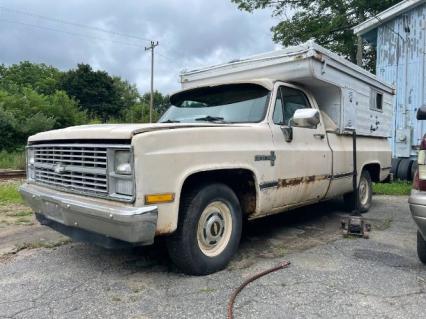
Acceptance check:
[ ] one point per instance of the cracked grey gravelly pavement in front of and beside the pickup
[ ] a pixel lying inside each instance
(330, 277)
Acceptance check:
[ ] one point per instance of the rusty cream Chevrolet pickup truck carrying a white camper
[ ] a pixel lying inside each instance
(226, 150)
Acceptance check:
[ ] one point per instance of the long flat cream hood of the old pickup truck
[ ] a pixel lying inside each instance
(111, 131)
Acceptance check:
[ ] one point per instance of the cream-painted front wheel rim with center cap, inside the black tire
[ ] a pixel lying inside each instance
(214, 228)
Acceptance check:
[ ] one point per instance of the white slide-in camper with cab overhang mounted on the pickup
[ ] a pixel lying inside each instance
(352, 97)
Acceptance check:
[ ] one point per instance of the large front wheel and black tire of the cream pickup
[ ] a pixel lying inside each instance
(209, 230)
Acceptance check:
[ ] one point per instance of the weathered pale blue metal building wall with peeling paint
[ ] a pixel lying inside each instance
(401, 61)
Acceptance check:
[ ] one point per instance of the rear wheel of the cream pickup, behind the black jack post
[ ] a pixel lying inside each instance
(365, 193)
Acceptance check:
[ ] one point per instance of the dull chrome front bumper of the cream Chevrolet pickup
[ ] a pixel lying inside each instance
(134, 225)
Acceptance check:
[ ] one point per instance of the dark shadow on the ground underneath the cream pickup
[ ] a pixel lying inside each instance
(265, 238)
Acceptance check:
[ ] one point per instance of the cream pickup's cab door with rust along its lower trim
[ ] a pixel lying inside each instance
(304, 164)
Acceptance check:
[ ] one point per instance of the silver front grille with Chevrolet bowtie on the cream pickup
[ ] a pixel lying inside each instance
(81, 168)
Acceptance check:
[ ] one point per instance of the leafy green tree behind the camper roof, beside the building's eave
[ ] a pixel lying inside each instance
(329, 22)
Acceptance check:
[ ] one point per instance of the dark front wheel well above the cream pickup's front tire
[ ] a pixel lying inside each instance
(241, 181)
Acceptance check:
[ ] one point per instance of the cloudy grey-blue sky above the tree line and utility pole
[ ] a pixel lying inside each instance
(191, 33)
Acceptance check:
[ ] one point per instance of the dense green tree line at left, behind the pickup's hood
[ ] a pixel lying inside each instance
(39, 97)
